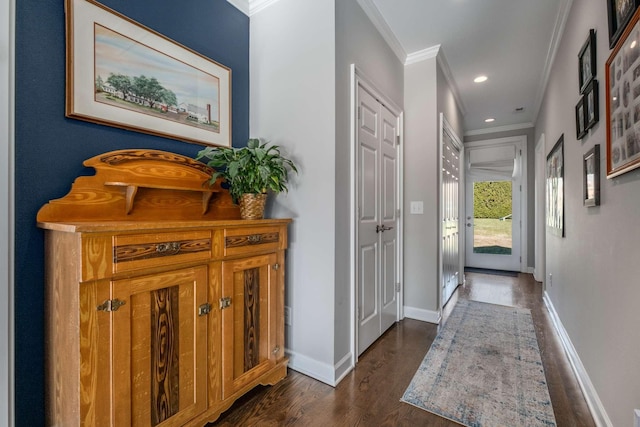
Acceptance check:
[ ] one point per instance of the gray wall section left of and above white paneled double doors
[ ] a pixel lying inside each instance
(359, 43)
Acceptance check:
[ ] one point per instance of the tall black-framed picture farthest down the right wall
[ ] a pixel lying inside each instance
(555, 188)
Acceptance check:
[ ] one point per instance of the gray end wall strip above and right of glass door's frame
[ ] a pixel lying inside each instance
(531, 151)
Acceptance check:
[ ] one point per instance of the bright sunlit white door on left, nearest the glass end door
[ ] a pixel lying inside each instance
(450, 195)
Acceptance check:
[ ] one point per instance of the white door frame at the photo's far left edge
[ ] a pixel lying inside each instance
(7, 212)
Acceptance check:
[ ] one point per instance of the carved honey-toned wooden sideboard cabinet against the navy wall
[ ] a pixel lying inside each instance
(157, 316)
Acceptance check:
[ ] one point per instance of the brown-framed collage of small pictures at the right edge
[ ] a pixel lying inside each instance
(623, 102)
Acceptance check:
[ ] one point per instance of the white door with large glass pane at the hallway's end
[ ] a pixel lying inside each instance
(493, 205)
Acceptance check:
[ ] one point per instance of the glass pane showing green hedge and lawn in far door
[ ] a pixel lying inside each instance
(492, 217)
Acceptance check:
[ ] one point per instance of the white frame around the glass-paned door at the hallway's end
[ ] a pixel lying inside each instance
(520, 140)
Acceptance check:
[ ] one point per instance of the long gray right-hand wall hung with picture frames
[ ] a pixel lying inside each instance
(595, 268)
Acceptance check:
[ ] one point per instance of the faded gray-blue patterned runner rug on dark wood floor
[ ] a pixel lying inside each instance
(484, 369)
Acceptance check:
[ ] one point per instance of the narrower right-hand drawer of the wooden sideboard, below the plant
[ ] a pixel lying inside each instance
(250, 240)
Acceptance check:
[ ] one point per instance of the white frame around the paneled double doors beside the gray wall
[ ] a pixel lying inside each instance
(358, 78)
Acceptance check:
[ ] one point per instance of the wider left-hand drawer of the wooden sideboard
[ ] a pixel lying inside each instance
(133, 252)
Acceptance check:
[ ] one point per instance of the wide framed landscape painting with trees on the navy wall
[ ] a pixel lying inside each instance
(123, 74)
